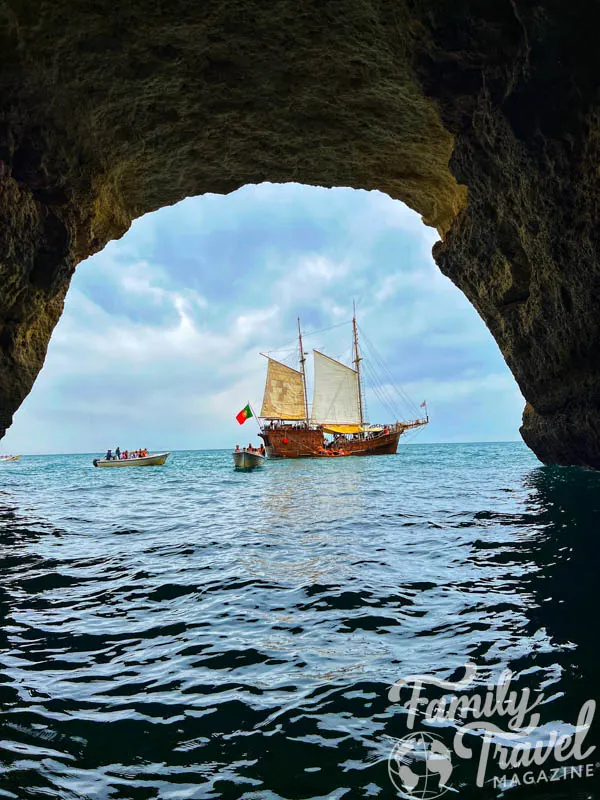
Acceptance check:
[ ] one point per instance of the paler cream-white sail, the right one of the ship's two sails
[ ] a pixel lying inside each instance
(335, 396)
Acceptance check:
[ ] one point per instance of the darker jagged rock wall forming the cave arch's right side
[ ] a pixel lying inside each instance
(519, 90)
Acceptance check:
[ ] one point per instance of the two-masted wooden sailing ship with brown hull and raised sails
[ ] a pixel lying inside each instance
(338, 410)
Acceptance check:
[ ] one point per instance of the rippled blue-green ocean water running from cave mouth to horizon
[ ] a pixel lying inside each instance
(193, 632)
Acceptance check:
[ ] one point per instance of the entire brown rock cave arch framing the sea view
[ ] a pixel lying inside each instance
(108, 111)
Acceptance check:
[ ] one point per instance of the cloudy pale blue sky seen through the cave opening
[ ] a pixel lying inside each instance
(159, 342)
